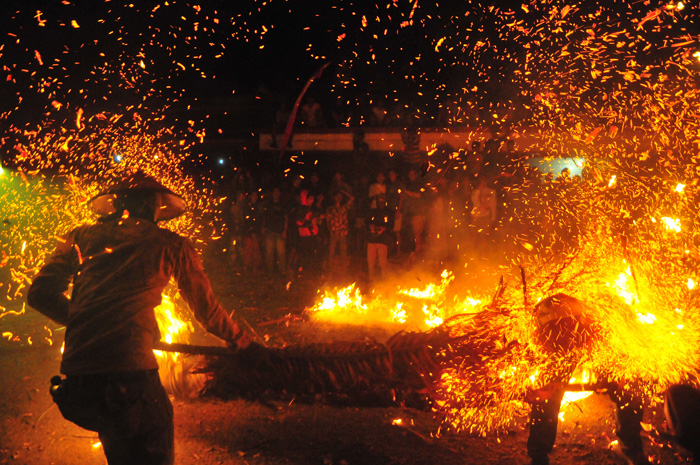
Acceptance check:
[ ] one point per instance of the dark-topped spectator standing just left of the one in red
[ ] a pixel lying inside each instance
(274, 230)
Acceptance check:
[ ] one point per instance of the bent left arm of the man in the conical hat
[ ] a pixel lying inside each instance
(47, 292)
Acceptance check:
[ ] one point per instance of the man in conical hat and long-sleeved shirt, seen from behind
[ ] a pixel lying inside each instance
(119, 267)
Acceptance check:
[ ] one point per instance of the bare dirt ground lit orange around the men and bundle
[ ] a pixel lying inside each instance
(208, 431)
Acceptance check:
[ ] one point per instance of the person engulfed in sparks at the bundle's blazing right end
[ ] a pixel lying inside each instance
(564, 330)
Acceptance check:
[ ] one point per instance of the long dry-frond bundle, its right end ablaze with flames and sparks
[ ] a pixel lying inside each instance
(477, 369)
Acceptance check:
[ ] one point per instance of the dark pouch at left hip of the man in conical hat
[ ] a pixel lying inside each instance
(77, 403)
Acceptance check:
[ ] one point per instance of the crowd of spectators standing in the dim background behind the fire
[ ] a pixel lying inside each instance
(352, 225)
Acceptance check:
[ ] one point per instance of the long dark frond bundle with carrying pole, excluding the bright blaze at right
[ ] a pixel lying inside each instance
(408, 369)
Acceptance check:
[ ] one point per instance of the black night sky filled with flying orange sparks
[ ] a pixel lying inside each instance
(223, 66)
